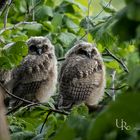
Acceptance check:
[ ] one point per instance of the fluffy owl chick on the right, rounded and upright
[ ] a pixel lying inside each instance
(82, 76)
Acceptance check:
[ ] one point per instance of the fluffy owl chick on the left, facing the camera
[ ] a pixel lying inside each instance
(35, 78)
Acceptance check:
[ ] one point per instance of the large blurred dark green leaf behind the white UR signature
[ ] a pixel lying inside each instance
(125, 107)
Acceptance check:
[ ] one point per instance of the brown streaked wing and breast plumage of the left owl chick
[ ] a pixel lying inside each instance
(29, 74)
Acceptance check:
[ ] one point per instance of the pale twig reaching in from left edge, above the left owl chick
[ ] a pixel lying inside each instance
(16, 25)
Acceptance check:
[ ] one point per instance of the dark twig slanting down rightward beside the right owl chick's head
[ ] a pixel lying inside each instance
(117, 59)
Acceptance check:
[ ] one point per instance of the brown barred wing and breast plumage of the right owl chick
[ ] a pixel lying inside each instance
(78, 79)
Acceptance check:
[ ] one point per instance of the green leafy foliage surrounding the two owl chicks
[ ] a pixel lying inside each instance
(115, 27)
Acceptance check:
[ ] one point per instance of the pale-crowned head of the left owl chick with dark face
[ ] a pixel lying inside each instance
(39, 45)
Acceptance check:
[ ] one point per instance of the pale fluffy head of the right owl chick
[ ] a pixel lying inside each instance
(84, 49)
